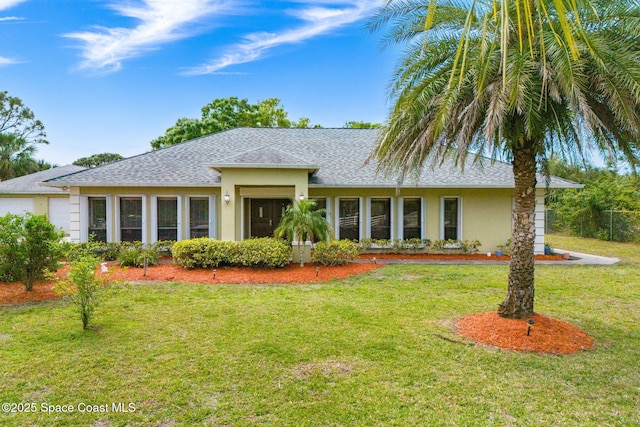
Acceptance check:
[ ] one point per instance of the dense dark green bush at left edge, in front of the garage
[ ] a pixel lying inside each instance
(29, 247)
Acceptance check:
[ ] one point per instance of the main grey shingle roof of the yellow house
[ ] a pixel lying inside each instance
(338, 154)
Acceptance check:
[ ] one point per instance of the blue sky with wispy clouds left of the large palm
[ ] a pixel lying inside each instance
(111, 75)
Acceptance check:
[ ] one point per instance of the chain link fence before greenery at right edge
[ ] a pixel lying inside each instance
(613, 225)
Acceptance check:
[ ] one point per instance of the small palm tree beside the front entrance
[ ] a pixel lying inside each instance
(303, 222)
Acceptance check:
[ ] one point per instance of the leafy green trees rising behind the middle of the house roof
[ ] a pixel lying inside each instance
(228, 113)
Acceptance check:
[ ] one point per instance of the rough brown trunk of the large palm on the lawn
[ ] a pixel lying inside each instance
(520, 293)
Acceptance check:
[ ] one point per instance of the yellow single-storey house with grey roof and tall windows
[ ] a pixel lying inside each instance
(235, 184)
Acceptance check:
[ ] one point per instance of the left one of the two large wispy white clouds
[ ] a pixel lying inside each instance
(161, 21)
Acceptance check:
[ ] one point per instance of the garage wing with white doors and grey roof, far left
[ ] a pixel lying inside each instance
(25, 194)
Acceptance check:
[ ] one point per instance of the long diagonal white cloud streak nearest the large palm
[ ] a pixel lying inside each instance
(319, 20)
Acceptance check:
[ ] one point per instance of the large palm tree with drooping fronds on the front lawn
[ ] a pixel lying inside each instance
(567, 82)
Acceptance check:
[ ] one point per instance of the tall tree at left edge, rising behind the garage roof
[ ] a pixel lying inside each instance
(20, 133)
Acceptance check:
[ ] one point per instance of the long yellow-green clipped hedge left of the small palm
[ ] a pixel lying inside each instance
(205, 252)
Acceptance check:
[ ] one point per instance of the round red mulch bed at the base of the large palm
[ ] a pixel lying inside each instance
(547, 335)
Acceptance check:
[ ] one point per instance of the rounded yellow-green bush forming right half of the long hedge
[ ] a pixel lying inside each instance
(264, 252)
